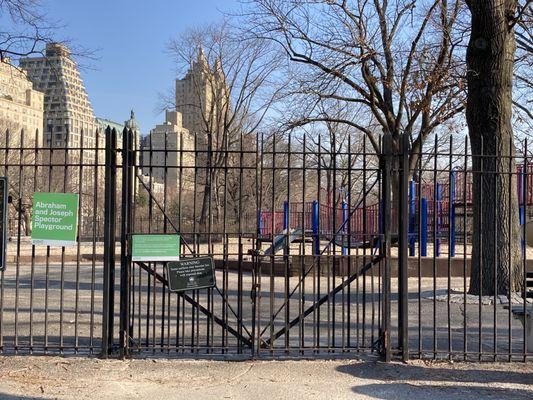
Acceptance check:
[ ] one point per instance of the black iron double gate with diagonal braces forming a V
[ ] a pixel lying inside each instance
(300, 290)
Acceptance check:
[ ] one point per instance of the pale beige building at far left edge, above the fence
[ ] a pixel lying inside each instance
(21, 108)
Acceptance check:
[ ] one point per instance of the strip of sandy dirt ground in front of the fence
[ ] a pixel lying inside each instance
(85, 378)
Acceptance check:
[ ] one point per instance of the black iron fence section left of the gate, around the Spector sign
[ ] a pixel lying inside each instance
(51, 297)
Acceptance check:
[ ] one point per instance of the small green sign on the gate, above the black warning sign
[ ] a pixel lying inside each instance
(155, 248)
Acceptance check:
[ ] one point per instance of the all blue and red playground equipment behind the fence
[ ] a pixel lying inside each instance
(438, 214)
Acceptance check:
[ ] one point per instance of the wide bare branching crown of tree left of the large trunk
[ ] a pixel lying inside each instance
(393, 63)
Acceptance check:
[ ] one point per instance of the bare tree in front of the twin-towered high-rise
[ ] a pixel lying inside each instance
(233, 94)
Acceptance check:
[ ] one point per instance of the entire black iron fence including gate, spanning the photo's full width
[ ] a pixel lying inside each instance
(322, 245)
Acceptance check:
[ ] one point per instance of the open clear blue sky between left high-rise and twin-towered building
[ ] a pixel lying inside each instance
(130, 36)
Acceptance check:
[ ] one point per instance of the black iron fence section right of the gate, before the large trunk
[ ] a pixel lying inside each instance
(463, 286)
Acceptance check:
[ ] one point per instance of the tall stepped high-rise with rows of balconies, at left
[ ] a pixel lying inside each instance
(70, 127)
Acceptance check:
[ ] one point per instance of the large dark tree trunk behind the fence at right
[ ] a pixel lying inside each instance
(496, 252)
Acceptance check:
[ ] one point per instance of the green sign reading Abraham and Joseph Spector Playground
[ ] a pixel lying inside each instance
(54, 219)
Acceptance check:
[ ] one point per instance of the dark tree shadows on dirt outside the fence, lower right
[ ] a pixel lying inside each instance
(434, 382)
